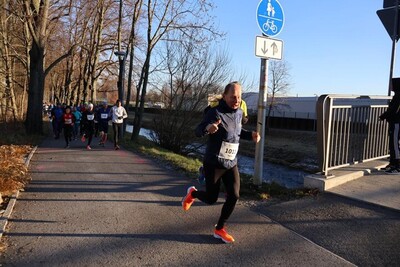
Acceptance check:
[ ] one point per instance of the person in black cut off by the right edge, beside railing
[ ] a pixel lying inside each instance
(392, 116)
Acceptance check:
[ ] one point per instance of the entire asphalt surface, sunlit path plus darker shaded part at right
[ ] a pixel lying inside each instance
(107, 207)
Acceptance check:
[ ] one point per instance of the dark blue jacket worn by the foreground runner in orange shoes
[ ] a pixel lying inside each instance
(229, 130)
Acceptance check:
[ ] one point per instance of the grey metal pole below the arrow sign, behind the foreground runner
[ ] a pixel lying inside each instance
(262, 108)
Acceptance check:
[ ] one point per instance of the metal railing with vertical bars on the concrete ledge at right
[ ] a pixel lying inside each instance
(349, 130)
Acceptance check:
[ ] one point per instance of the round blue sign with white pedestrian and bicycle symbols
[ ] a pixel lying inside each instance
(270, 17)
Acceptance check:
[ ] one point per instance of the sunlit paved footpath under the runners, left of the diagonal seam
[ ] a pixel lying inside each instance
(100, 207)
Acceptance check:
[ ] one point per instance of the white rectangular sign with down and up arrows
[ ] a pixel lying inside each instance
(268, 48)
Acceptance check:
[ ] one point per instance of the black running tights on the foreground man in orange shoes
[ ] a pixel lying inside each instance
(231, 180)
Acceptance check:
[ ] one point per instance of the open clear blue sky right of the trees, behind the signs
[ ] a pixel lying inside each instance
(331, 46)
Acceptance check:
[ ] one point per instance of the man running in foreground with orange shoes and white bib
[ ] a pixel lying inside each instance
(223, 125)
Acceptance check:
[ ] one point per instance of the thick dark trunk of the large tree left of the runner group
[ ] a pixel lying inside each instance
(33, 122)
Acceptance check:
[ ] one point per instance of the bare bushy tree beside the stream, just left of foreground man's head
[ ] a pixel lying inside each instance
(191, 74)
